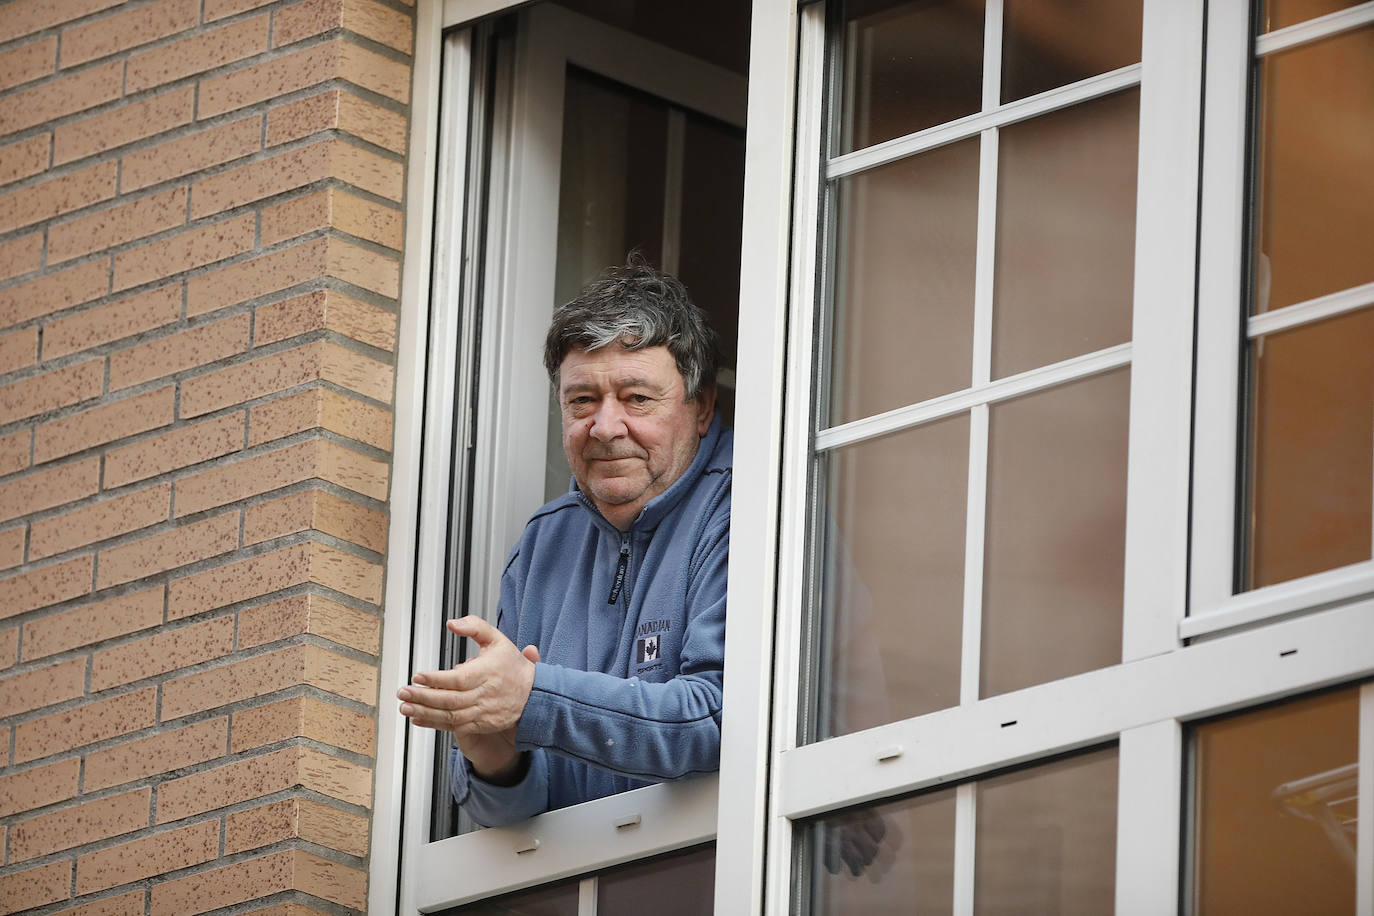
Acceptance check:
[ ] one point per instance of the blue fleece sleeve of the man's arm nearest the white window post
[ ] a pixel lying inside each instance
(638, 729)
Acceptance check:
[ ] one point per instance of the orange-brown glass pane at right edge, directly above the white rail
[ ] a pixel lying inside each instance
(1313, 450)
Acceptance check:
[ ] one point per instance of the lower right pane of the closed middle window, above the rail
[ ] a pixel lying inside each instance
(1056, 543)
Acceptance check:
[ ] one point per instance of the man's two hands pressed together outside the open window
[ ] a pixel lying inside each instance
(480, 702)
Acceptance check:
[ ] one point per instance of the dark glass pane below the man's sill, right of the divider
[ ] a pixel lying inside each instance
(682, 885)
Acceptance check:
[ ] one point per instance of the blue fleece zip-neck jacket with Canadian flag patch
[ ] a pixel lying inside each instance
(631, 632)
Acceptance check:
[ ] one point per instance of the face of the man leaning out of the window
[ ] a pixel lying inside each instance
(629, 431)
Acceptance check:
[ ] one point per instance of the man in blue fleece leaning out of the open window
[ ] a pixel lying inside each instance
(616, 591)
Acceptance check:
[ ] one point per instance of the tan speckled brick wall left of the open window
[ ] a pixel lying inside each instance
(200, 255)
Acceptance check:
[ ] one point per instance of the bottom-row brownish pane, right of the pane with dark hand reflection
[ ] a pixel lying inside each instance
(1046, 840)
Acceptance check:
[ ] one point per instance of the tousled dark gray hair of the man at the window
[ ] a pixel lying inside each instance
(637, 307)
